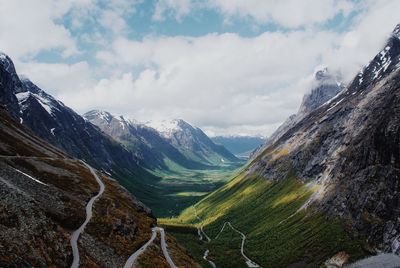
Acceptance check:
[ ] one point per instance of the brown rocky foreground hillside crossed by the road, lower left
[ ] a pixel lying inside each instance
(43, 197)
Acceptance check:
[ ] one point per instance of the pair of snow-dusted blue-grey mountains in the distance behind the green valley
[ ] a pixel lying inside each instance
(156, 142)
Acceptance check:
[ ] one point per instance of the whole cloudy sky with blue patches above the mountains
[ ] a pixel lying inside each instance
(231, 67)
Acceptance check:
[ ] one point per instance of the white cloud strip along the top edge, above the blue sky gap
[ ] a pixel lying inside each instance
(287, 13)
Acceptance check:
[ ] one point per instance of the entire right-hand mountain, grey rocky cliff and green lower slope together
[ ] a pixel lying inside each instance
(326, 190)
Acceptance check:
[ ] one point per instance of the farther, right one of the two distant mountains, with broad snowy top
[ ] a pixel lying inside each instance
(192, 142)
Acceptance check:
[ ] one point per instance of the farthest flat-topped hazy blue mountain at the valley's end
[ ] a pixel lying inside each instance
(239, 145)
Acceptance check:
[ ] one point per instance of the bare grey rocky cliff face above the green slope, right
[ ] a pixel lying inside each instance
(348, 149)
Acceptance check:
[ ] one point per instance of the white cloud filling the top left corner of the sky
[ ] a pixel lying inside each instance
(28, 26)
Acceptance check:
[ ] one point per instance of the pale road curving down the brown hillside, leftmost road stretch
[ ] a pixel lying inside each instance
(89, 213)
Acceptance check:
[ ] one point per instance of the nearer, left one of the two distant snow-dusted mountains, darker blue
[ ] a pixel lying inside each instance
(154, 150)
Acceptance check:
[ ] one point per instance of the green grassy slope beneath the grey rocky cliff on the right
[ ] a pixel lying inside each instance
(265, 211)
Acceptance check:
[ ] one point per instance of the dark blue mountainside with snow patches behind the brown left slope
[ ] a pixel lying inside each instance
(59, 125)
